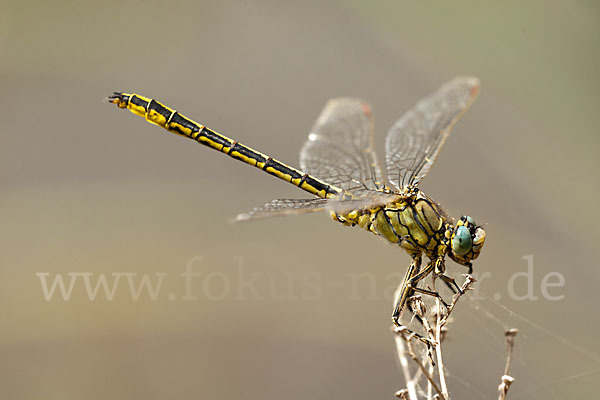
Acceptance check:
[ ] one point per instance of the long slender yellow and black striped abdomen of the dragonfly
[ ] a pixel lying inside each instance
(171, 120)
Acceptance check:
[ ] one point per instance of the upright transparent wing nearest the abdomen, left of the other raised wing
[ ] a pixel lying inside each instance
(340, 150)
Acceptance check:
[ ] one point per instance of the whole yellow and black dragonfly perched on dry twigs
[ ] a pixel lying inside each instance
(339, 167)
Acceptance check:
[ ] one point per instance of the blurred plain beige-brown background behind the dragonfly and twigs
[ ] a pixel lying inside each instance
(293, 307)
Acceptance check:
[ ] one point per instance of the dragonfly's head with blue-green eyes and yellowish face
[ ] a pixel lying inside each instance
(466, 241)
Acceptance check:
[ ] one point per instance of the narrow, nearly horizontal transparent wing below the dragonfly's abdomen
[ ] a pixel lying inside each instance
(280, 207)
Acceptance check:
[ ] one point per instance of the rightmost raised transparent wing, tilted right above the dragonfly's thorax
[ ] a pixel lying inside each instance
(414, 142)
